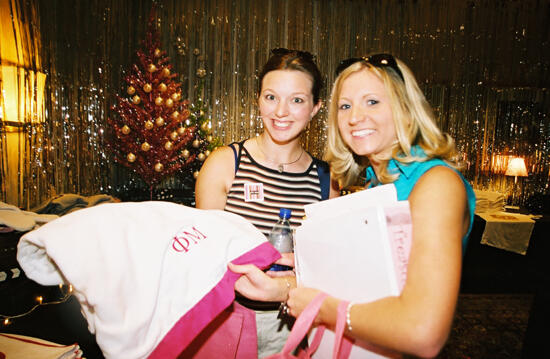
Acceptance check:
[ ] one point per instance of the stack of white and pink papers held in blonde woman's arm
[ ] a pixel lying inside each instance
(356, 248)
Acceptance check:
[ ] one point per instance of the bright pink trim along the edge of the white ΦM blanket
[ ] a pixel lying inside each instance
(212, 304)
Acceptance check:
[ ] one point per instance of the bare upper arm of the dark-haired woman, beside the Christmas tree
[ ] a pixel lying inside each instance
(215, 178)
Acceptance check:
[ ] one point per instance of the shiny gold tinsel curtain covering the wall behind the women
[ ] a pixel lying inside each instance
(484, 66)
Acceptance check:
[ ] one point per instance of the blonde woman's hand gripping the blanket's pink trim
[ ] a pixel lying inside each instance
(256, 285)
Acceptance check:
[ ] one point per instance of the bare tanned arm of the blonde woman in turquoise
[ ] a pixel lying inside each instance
(419, 320)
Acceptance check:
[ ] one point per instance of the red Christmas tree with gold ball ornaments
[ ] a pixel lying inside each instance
(155, 134)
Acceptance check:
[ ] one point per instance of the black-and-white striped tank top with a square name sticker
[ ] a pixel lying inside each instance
(257, 192)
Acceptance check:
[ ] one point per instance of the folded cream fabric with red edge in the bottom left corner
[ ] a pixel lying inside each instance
(14, 346)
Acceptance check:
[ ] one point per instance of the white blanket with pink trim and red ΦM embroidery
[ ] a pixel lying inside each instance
(149, 276)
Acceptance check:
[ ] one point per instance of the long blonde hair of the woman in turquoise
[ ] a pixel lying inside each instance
(414, 124)
